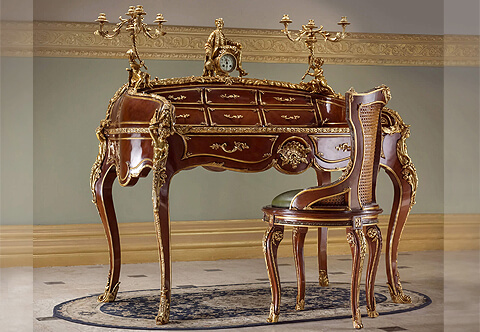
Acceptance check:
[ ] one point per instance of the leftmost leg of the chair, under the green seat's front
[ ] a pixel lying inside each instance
(271, 241)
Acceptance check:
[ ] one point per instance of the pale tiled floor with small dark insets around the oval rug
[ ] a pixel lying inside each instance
(450, 279)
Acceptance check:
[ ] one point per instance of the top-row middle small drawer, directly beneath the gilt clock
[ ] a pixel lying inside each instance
(220, 96)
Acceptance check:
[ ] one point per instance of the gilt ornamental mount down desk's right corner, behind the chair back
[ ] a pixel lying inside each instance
(393, 123)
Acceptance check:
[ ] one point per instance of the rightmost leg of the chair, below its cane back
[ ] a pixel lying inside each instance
(374, 240)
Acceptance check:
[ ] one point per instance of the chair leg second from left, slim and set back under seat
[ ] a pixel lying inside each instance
(298, 240)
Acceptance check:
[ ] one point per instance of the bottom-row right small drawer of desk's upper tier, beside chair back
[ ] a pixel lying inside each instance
(291, 117)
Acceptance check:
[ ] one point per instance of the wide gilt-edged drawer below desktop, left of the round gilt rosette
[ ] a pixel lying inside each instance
(242, 148)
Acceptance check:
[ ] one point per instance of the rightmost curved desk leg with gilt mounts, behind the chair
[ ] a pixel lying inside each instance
(402, 172)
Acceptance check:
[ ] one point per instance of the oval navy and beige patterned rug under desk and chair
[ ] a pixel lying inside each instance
(225, 306)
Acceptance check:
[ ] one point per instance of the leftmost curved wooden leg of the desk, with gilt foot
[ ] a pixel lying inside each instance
(104, 203)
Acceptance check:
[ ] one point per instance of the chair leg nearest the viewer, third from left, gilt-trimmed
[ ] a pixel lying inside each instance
(358, 246)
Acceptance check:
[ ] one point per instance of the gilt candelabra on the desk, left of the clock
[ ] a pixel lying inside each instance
(135, 26)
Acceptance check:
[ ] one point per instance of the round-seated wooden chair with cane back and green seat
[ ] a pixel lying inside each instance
(348, 202)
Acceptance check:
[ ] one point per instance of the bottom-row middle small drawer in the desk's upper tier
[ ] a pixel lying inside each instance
(234, 117)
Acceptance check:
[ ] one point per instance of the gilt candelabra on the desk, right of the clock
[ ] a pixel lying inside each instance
(310, 32)
